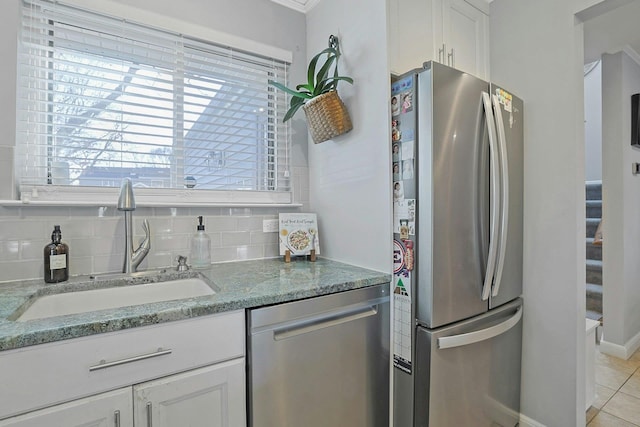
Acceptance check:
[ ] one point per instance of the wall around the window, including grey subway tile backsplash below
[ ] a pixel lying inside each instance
(96, 237)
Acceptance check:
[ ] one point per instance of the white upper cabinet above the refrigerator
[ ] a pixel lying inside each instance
(453, 32)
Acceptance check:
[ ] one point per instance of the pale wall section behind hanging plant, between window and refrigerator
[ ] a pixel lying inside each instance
(350, 180)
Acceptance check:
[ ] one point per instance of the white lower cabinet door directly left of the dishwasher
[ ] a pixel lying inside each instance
(213, 397)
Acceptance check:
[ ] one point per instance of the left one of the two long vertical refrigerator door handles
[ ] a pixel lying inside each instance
(495, 198)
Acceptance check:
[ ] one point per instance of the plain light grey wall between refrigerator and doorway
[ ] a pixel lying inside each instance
(536, 52)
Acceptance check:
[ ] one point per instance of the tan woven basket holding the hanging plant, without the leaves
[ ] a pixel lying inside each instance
(327, 117)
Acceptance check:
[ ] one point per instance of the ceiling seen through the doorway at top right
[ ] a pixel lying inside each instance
(613, 31)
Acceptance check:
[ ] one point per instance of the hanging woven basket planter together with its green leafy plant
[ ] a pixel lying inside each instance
(327, 116)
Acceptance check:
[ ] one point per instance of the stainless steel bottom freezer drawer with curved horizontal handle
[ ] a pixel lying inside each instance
(468, 374)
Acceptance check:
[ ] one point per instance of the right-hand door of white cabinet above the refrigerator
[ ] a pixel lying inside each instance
(465, 34)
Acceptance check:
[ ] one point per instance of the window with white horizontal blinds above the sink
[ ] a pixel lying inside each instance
(101, 99)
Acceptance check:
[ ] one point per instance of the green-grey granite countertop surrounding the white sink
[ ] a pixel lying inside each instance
(238, 285)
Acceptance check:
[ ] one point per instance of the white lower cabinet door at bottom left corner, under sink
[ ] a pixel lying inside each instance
(113, 409)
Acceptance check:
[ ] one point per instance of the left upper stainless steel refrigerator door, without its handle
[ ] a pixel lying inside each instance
(453, 196)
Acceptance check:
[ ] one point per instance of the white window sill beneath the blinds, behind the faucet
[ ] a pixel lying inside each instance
(66, 196)
